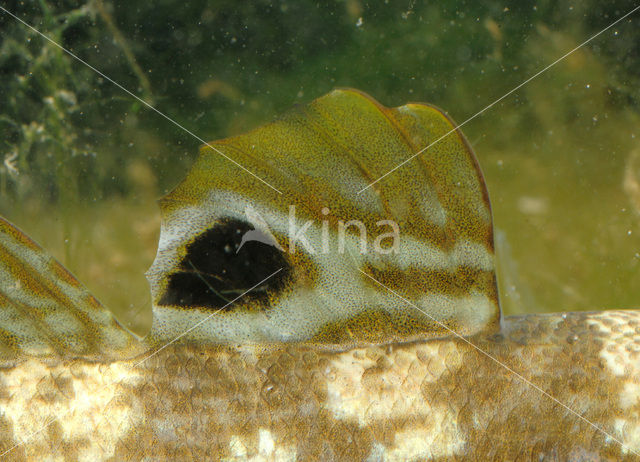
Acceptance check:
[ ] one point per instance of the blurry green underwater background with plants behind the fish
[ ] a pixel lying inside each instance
(82, 162)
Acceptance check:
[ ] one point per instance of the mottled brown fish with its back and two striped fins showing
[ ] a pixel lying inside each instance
(340, 319)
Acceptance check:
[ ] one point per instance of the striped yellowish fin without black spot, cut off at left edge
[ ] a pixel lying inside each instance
(45, 312)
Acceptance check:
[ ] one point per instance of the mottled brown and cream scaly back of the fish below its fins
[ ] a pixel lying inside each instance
(438, 399)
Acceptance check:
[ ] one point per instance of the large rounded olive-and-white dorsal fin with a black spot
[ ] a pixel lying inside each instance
(320, 156)
